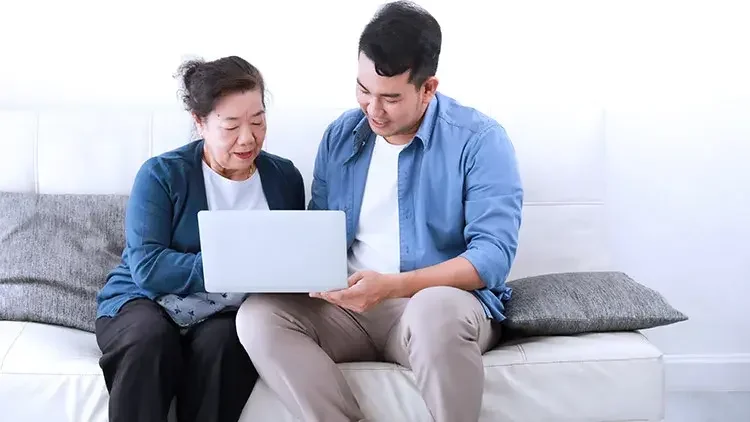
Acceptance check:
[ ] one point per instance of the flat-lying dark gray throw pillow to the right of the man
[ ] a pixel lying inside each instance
(583, 302)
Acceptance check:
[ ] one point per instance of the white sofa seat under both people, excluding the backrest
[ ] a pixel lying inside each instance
(596, 377)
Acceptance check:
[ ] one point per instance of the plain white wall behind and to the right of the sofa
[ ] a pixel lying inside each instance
(671, 78)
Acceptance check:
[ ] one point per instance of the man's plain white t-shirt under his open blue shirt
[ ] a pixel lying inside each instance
(376, 245)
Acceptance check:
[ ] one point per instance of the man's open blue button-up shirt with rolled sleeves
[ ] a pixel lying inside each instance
(459, 191)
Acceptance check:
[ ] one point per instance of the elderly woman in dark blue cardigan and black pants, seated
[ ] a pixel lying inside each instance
(162, 336)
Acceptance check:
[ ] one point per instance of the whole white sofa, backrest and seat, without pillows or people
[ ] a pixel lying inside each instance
(51, 373)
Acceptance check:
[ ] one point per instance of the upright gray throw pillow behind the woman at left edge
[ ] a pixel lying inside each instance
(55, 253)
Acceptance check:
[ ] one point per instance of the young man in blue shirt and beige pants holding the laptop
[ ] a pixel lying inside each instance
(433, 201)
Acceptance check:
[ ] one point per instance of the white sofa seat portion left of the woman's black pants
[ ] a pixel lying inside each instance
(50, 373)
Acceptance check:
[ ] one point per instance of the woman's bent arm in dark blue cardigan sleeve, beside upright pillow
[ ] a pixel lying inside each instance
(148, 235)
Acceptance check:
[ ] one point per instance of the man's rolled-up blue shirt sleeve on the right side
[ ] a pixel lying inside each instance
(493, 199)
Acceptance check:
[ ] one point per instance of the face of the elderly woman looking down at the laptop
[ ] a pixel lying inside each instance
(234, 133)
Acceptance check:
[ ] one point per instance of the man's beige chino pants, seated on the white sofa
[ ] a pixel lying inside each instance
(440, 333)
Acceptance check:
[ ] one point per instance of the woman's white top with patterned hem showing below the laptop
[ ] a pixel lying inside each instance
(222, 194)
